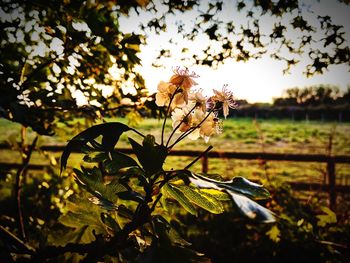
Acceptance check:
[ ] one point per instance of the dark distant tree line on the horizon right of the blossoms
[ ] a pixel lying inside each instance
(322, 102)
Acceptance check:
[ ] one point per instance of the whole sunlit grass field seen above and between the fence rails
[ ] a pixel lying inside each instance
(240, 135)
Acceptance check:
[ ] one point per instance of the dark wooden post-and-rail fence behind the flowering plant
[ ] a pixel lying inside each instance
(331, 162)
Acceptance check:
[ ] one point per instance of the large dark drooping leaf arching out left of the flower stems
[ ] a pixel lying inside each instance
(110, 133)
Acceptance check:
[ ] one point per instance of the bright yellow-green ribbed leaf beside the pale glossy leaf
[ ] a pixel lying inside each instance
(207, 202)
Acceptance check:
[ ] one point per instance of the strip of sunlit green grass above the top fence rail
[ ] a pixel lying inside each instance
(238, 135)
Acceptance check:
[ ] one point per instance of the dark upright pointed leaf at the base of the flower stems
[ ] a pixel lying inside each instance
(150, 156)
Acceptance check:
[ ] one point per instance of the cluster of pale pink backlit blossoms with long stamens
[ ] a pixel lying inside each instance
(192, 114)
